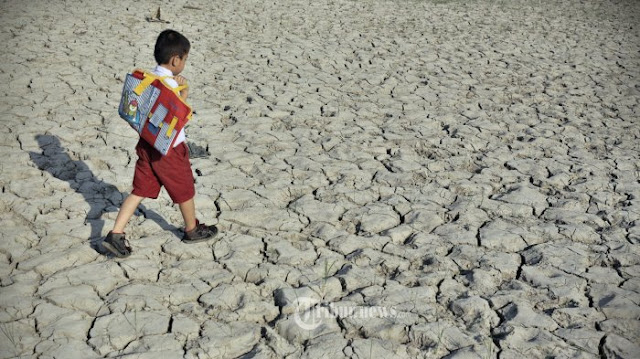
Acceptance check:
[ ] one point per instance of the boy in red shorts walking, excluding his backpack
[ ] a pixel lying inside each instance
(153, 170)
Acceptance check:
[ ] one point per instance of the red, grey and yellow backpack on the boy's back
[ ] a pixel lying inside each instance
(154, 109)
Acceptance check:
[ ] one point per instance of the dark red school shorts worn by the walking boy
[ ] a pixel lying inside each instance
(173, 171)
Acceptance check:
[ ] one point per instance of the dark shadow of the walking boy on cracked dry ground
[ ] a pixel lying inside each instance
(102, 197)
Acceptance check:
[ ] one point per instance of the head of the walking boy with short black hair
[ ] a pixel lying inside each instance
(171, 50)
